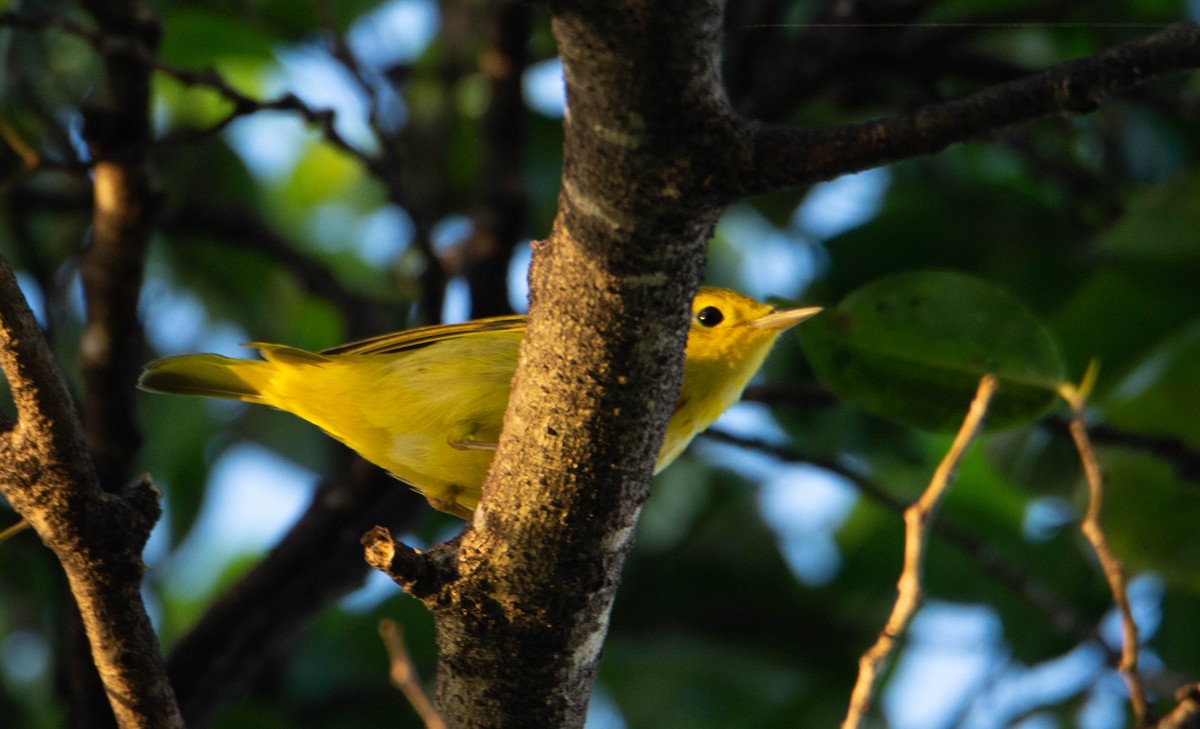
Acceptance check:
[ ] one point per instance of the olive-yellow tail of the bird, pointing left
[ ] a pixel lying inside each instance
(209, 376)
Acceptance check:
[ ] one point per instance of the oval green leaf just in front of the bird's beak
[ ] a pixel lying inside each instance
(913, 347)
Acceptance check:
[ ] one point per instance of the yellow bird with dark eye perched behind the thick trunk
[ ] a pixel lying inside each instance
(427, 405)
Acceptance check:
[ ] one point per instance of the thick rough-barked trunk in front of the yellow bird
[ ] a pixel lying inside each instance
(601, 365)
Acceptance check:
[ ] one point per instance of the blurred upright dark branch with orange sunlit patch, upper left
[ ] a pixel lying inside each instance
(117, 129)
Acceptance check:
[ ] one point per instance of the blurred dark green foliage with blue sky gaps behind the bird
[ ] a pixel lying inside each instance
(332, 171)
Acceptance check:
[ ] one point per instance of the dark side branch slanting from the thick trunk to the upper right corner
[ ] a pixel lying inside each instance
(789, 158)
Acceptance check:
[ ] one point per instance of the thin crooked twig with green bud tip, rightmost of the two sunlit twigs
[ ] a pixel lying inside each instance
(1111, 565)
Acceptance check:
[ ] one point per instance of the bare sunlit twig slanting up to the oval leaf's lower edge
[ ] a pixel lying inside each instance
(919, 519)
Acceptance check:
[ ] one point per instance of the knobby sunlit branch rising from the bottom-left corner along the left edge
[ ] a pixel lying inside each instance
(97, 537)
